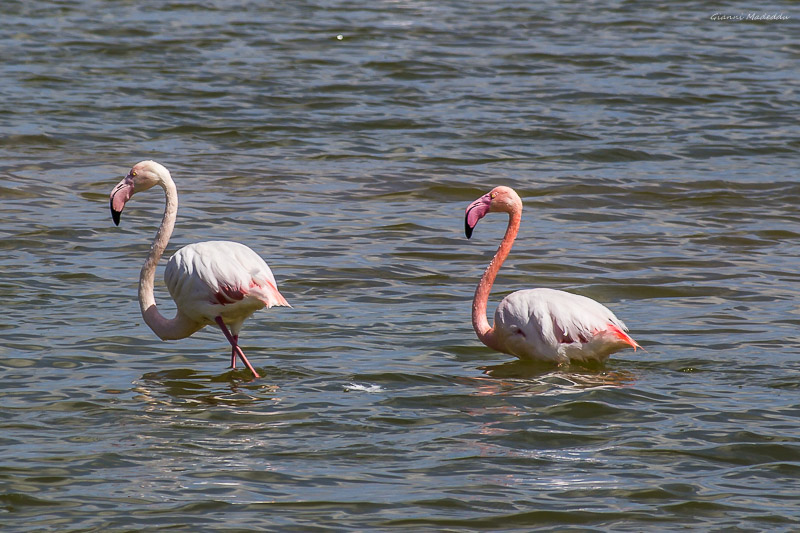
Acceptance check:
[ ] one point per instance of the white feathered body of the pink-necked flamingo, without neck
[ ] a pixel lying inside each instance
(558, 326)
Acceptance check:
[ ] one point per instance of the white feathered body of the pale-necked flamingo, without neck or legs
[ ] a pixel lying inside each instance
(220, 278)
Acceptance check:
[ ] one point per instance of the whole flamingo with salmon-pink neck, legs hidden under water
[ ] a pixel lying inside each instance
(539, 324)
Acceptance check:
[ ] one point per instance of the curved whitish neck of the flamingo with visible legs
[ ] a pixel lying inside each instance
(180, 326)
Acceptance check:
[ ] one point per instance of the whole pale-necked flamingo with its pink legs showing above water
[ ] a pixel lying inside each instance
(220, 282)
